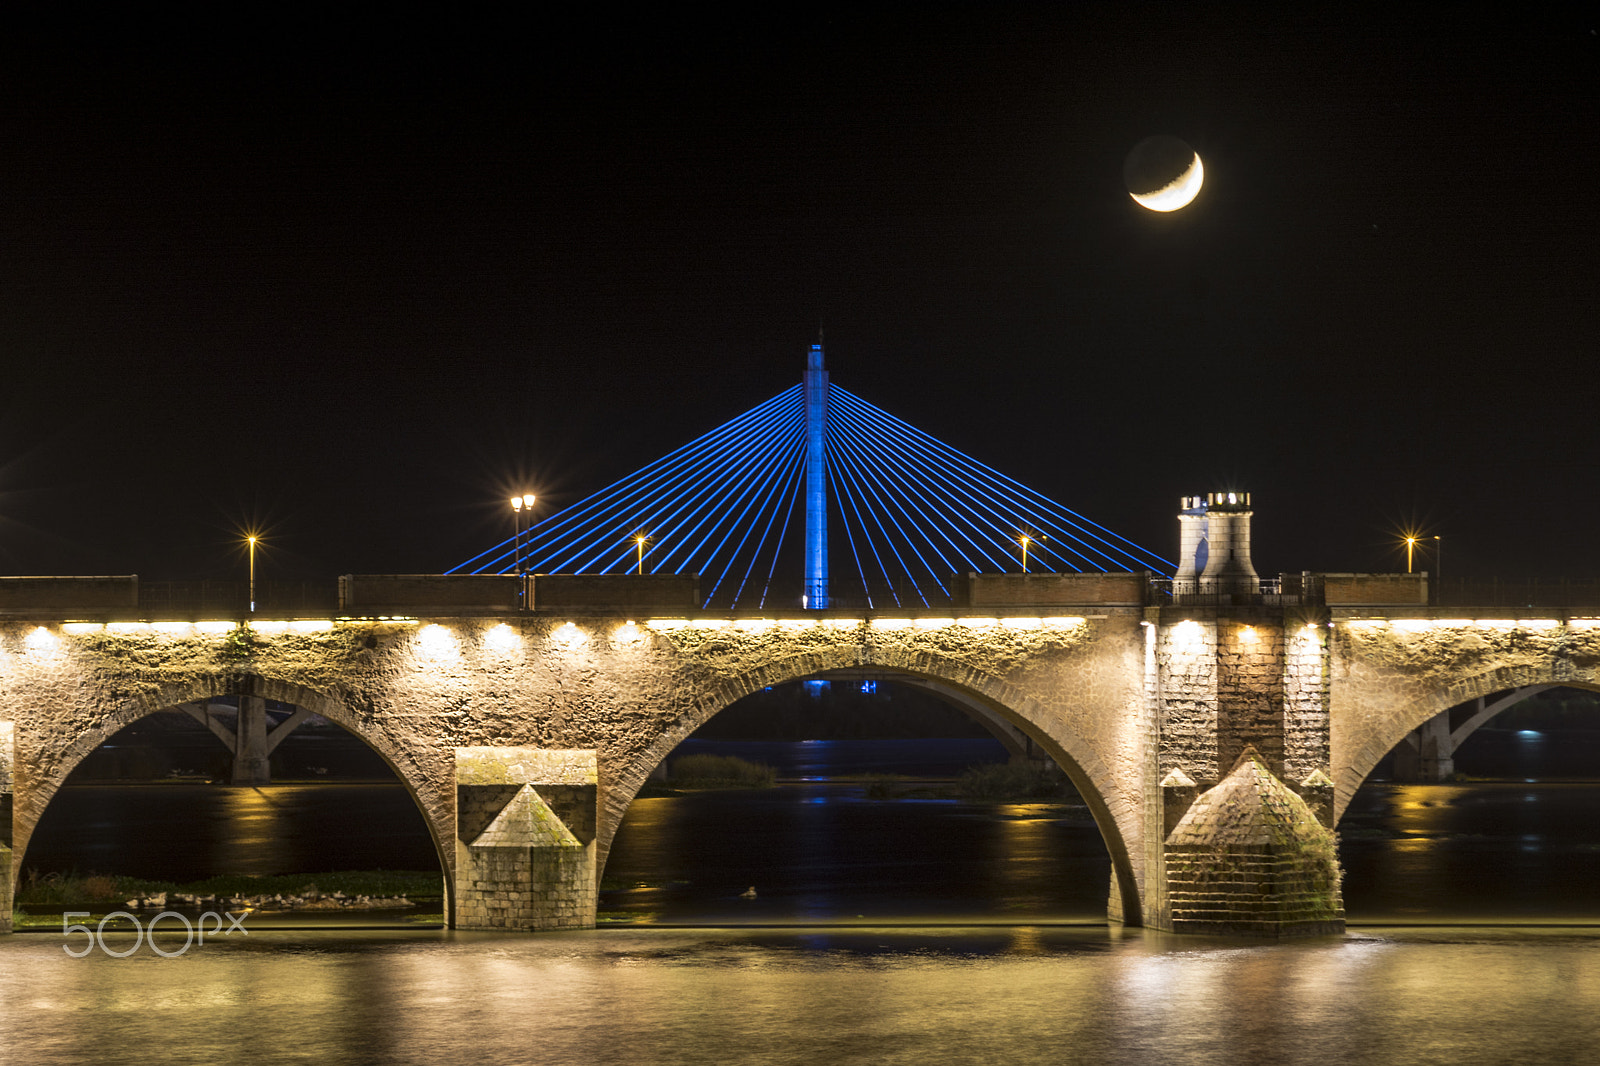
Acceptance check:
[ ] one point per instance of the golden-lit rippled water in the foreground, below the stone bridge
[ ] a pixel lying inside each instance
(1026, 995)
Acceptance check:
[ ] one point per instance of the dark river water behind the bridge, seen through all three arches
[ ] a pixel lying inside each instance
(825, 852)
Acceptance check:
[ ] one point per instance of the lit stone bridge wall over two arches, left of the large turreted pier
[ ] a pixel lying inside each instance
(628, 691)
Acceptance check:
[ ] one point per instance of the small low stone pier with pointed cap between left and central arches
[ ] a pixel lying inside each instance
(526, 840)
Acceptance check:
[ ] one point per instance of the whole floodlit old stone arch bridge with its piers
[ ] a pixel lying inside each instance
(1217, 740)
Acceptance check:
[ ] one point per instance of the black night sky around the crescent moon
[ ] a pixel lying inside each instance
(354, 284)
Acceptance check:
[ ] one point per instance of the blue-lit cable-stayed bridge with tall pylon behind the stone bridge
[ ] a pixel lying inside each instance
(764, 497)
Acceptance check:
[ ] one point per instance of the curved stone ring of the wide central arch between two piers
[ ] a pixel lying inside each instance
(972, 689)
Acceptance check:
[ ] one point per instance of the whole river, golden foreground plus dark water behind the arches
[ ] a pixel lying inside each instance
(924, 931)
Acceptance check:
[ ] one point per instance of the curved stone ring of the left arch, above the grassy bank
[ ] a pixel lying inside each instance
(41, 788)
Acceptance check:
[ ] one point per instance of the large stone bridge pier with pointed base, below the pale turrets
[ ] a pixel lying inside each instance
(1246, 811)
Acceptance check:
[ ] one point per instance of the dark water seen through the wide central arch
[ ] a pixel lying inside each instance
(825, 852)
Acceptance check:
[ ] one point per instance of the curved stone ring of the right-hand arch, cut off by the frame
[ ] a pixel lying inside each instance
(1414, 710)
